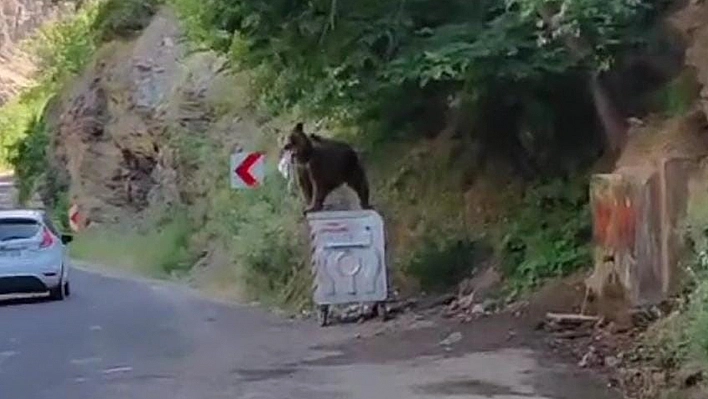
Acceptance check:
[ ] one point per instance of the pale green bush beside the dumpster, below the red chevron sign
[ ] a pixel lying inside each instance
(262, 232)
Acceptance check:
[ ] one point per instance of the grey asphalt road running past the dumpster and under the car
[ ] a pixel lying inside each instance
(124, 338)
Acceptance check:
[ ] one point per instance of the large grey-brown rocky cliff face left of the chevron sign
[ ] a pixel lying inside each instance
(110, 130)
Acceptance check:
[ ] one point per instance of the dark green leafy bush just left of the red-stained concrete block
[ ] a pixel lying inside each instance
(550, 234)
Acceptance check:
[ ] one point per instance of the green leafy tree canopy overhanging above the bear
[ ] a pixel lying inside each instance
(356, 60)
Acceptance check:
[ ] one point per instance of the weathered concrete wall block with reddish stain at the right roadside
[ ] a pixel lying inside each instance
(636, 218)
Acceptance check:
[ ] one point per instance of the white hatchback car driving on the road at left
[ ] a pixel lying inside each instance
(33, 255)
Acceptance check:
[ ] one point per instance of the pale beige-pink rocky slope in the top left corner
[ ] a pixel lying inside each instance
(18, 20)
